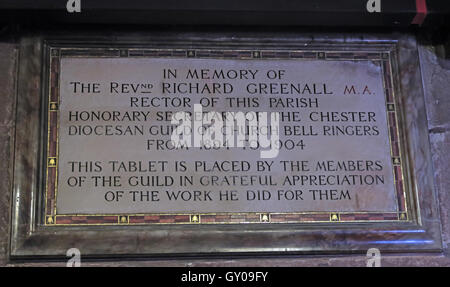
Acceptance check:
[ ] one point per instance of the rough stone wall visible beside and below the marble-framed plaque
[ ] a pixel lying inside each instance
(436, 82)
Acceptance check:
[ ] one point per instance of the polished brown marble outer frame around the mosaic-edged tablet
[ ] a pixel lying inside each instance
(32, 238)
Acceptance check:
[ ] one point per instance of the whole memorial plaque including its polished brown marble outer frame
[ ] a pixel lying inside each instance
(233, 145)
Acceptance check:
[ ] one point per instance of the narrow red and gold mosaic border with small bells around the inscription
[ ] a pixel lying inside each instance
(53, 219)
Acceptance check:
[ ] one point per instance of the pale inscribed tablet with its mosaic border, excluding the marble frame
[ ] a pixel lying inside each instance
(330, 119)
